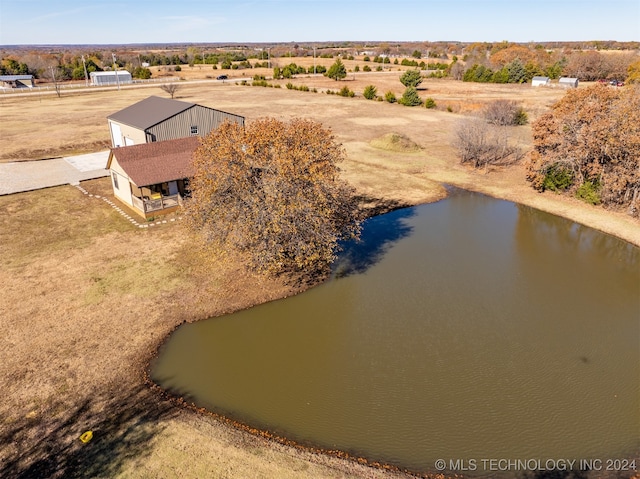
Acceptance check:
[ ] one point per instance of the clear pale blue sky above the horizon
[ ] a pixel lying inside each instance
(169, 21)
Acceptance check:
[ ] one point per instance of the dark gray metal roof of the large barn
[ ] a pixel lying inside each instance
(149, 112)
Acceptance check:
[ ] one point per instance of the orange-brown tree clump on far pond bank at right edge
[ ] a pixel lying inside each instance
(590, 144)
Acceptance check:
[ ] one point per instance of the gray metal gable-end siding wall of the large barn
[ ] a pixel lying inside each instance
(179, 126)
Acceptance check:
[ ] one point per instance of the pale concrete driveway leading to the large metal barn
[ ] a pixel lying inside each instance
(33, 175)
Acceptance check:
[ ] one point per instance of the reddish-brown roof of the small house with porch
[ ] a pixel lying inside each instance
(158, 162)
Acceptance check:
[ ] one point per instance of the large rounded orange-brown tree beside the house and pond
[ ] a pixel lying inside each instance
(272, 191)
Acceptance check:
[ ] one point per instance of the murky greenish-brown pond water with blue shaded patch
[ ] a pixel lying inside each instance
(470, 328)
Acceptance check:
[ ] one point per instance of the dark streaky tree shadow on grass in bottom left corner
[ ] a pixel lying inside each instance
(123, 429)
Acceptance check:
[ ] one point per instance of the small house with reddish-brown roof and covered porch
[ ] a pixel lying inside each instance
(153, 178)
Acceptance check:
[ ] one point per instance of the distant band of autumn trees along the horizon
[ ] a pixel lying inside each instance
(502, 62)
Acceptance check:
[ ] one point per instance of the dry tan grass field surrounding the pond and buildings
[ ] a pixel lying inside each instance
(87, 298)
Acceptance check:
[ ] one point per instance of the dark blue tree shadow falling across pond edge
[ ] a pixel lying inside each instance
(383, 227)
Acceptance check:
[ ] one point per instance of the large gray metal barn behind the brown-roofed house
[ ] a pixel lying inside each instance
(161, 119)
